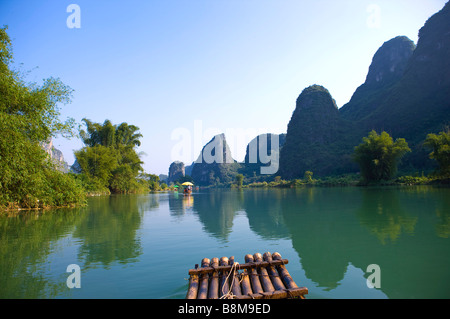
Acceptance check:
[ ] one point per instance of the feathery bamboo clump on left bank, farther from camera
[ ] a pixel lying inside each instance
(109, 159)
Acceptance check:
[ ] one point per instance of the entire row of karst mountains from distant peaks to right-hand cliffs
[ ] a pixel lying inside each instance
(406, 93)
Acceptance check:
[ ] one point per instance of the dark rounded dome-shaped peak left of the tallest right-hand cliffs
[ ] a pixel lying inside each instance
(315, 136)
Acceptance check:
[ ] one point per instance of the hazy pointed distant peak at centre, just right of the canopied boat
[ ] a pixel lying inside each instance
(214, 164)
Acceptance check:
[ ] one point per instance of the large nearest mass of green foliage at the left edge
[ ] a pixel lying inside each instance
(29, 115)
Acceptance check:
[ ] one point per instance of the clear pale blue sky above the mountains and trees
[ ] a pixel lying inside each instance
(185, 70)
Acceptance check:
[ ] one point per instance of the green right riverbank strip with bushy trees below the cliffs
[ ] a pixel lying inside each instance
(378, 157)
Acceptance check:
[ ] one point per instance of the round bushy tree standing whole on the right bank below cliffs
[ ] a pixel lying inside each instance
(378, 156)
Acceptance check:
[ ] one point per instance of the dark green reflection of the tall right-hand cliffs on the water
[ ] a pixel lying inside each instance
(328, 236)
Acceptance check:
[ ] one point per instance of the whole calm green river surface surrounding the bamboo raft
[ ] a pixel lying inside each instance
(141, 246)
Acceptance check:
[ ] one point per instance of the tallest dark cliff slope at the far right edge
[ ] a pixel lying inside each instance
(420, 101)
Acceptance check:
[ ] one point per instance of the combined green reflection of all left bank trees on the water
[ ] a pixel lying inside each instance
(104, 233)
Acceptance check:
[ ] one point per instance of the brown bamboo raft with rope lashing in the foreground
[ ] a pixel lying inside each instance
(261, 277)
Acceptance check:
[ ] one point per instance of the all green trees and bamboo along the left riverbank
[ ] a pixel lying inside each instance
(29, 117)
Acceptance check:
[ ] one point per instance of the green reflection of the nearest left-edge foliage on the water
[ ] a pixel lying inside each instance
(26, 240)
